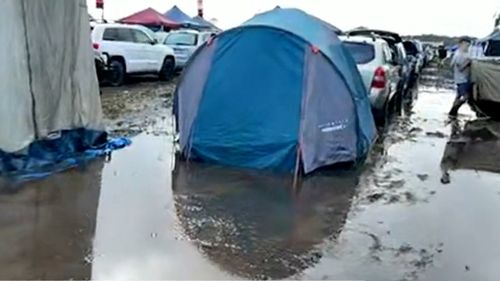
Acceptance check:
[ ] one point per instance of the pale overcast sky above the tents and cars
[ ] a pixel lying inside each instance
(447, 17)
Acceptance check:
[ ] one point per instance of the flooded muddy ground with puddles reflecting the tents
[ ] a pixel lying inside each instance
(424, 207)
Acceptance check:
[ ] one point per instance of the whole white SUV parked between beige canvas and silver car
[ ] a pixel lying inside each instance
(132, 49)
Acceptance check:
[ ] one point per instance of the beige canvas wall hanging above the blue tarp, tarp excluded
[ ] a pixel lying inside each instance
(47, 74)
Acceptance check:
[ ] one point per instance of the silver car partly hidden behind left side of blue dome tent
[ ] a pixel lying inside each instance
(185, 42)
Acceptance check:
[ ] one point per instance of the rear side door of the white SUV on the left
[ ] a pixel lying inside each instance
(136, 60)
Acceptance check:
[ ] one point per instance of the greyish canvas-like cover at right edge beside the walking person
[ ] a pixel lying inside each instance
(486, 78)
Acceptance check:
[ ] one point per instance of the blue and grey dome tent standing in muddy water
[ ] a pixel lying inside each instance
(278, 92)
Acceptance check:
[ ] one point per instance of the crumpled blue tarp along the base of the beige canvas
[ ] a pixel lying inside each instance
(45, 157)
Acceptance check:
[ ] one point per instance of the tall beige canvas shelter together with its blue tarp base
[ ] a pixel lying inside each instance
(51, 108)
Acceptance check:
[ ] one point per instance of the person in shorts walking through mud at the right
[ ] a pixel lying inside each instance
(461, 64)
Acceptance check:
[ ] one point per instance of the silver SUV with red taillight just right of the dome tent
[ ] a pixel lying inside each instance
(379, 70)
